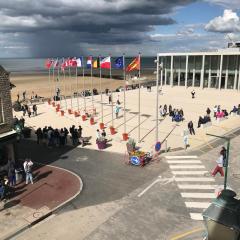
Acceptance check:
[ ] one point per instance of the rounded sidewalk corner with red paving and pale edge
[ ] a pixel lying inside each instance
(28, 204)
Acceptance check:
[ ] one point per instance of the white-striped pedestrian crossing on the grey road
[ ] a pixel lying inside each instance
(196, 189)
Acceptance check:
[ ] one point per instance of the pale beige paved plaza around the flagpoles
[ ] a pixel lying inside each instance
(177, 97)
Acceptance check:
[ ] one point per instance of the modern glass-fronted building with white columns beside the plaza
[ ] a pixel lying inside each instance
(220, 69)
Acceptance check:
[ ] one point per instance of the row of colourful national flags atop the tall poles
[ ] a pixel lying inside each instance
(104, 63)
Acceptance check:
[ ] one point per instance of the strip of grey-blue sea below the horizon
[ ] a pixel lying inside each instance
(37, 65)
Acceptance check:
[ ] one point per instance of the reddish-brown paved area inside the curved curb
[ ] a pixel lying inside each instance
(52, 187)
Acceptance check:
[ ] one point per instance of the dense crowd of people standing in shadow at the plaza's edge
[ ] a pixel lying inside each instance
(58, 137)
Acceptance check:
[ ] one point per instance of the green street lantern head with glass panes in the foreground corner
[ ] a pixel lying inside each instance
(222, 217)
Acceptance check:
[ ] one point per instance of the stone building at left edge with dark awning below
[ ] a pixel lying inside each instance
(7, 134)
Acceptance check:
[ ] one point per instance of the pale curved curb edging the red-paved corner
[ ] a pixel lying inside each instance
(59, 207)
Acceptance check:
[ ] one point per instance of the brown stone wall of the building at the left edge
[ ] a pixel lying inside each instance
(5, 95)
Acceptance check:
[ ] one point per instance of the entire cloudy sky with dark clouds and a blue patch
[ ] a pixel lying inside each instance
(54, 28)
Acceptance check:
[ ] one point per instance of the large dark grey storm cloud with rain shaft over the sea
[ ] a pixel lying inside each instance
(59, 27)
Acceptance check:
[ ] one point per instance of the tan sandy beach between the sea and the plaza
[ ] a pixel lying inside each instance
(39, 84)
